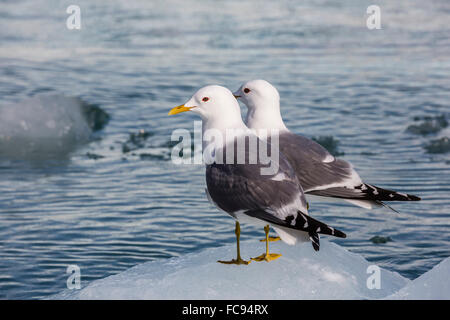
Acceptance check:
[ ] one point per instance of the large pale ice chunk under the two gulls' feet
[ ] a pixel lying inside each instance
(301, 273)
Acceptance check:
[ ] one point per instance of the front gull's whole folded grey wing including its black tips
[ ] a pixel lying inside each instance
(276, 199)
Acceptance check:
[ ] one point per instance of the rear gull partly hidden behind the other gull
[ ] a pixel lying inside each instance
(319, 172)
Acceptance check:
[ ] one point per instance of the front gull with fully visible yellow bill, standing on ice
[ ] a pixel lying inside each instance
(242, 190)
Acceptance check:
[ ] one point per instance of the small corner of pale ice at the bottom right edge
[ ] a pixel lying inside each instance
(432, 285)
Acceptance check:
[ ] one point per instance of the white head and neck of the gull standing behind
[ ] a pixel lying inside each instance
(263, 103)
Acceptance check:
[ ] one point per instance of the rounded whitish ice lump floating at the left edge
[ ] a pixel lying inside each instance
(42, 124)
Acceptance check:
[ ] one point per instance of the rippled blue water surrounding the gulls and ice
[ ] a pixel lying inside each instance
(138, 59)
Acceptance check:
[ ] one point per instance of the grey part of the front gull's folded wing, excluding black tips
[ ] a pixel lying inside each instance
(242, 187)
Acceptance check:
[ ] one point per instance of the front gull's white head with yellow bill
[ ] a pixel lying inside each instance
(215, 104)
